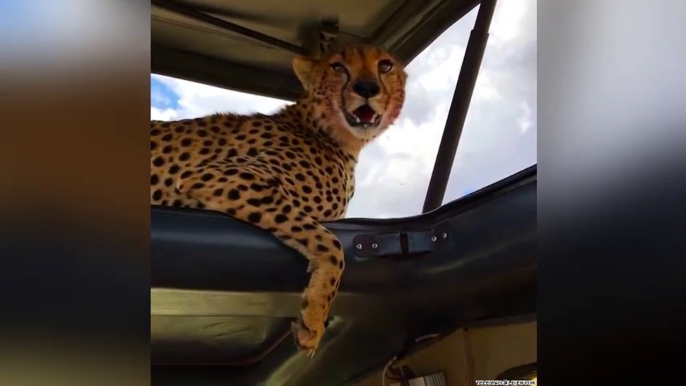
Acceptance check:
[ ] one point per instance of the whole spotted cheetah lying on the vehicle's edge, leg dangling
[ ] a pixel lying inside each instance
(288, 172)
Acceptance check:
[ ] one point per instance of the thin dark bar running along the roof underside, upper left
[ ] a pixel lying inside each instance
(193, 14)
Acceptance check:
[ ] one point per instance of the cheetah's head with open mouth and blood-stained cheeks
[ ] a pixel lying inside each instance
(359, 88)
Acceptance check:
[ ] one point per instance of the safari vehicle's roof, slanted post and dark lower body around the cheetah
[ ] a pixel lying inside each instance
(447, 296)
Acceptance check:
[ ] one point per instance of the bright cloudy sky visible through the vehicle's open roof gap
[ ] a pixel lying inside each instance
(499, 137)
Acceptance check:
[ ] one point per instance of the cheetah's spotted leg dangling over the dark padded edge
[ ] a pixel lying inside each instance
(251, 195)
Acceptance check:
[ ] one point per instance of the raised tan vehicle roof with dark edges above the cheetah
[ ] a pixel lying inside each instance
(190, 39)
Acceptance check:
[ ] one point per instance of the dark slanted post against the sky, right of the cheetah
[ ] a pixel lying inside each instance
(459, 106)
